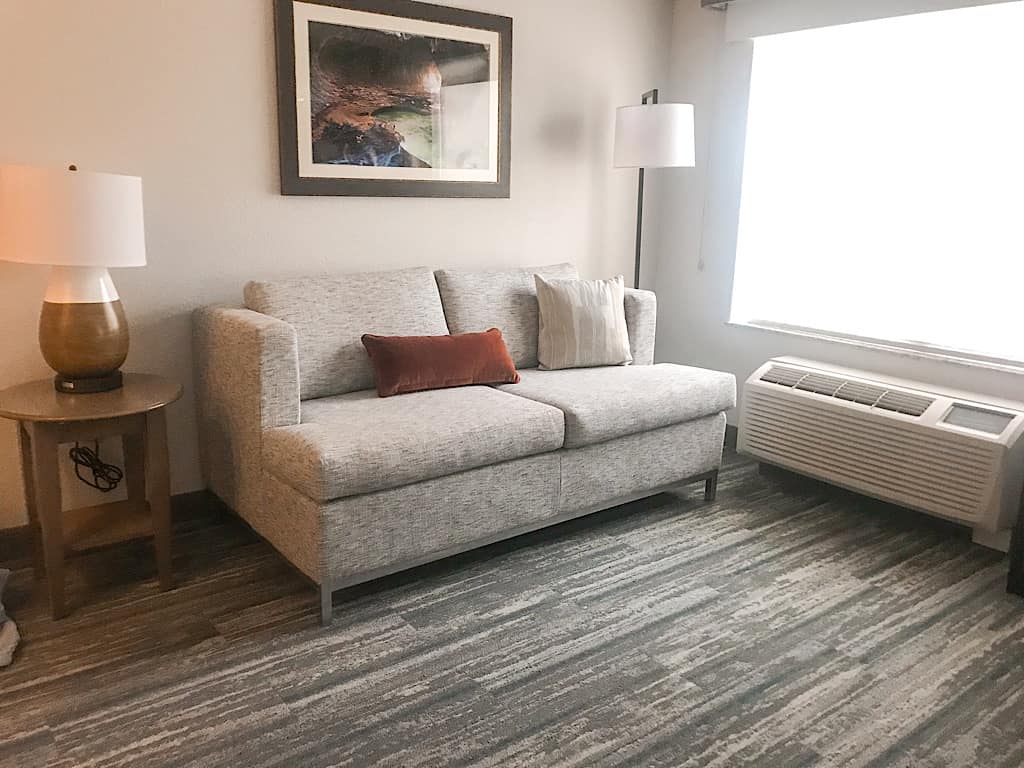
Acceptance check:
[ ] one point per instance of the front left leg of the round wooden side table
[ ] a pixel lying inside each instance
(48, 492)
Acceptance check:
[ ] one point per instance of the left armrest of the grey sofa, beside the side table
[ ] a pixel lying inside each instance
(247, 371)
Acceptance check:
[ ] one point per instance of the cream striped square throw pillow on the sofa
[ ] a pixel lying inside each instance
(583, 324)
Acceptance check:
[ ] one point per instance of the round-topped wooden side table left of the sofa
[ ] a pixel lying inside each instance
(47, 419)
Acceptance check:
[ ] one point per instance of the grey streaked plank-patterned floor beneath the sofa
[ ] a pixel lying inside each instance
(788, 624)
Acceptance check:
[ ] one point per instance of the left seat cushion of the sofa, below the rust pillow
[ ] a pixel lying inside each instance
(359, 443)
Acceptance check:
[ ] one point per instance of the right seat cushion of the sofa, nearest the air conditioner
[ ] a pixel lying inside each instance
(603, 404)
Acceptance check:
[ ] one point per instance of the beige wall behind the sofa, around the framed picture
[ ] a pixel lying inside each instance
(182, 93)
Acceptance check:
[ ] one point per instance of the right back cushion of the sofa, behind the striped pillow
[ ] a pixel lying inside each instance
(476, 302)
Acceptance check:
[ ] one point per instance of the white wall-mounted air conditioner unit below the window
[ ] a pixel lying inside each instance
(951, 454)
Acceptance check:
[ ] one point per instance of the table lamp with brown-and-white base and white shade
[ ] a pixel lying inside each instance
(79, 224)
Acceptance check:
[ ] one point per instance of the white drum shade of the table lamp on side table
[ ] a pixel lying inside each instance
(71, 219)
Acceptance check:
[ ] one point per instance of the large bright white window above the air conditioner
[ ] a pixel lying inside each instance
(883, 192)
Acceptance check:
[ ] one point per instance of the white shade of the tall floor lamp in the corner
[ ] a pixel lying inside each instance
(655, 137)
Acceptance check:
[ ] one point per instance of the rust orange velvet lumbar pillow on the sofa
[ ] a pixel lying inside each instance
(413, 364)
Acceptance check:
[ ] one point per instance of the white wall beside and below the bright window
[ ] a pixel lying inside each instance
(694, 304)
